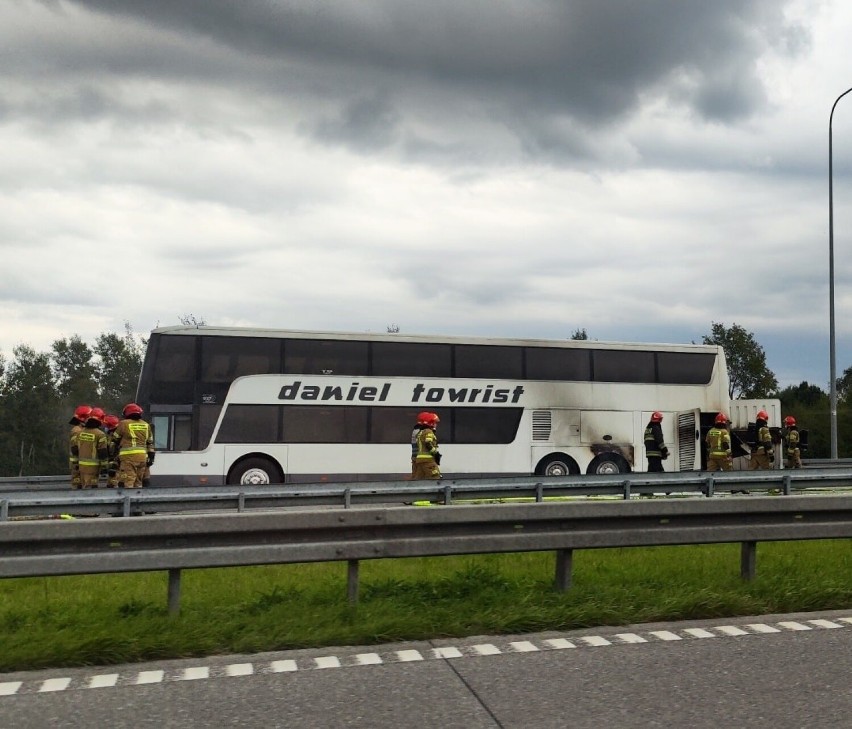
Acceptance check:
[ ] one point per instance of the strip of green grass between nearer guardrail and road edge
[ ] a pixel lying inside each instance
(103, 619)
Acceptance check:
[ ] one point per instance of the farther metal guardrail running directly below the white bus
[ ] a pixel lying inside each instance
(127, 502)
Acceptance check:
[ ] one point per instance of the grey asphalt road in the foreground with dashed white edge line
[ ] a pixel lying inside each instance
(778, 671)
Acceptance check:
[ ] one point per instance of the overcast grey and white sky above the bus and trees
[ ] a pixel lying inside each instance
(513, 168)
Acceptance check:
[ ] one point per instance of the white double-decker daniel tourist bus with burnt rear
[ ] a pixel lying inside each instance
(253, 406)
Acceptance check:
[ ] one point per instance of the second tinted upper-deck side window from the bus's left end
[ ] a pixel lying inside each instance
(223, 359)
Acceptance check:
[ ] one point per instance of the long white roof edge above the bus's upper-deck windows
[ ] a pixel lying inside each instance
(215, 331)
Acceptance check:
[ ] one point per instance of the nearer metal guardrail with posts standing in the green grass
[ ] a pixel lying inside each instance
(93, 546)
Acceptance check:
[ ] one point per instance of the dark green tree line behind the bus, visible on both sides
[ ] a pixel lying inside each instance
(39, 391)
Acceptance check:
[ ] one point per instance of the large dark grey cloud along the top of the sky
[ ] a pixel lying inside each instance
(574, 65)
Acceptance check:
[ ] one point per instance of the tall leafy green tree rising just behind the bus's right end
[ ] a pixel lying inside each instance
(749, 375)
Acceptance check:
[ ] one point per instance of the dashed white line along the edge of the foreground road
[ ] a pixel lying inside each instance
(293, 665)
